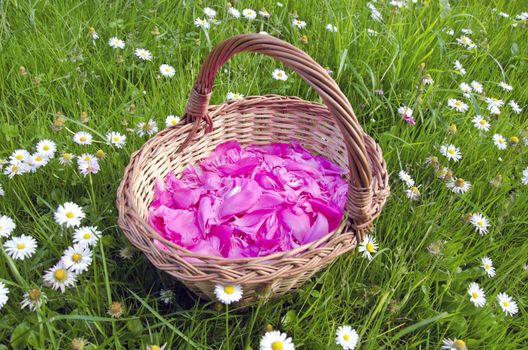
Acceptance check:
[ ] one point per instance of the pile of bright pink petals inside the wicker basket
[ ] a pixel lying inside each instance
(248, 202)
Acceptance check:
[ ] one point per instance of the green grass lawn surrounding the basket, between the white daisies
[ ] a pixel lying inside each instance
(405, 298)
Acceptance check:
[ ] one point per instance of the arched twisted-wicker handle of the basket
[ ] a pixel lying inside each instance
(360, 189)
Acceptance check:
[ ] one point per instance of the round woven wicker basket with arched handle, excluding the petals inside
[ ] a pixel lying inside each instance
(330, 129)
